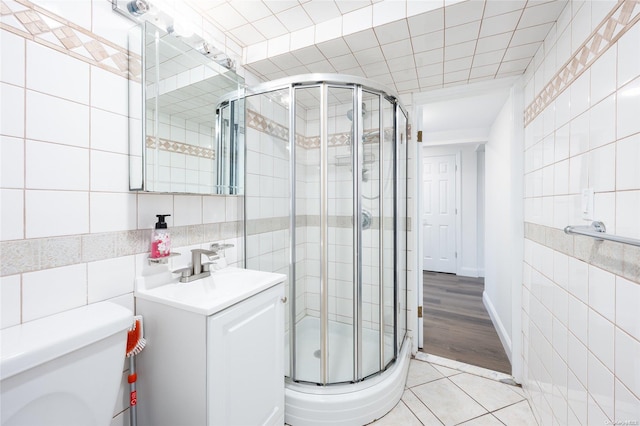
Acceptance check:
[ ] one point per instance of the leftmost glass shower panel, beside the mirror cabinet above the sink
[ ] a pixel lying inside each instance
(267, 189)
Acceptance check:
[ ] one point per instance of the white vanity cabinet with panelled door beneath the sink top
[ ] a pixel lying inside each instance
(222, 369)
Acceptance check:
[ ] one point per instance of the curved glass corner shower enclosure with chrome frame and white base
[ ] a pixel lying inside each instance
(326, 204)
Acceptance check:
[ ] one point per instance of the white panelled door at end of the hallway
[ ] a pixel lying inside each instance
(439, 213)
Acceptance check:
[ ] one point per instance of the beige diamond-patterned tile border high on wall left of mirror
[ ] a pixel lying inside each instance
(34, 23)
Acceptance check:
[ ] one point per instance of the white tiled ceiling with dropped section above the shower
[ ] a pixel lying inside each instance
(408, 45)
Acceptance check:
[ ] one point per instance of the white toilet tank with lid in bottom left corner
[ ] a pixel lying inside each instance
(64, 369)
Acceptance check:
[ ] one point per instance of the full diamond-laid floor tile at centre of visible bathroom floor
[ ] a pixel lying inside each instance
(448, 402)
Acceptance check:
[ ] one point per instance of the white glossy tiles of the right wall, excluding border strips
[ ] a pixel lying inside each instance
(595, 130)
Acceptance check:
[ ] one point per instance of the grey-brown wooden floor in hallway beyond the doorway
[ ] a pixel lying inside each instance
(456, 323)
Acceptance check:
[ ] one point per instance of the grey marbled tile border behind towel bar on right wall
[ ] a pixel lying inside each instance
(617, 258)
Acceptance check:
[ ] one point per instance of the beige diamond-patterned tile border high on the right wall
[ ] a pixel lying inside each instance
(624, 15)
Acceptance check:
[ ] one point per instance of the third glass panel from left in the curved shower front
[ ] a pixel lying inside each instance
(341, 283)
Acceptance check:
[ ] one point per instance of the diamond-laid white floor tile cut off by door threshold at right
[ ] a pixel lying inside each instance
(490, 394)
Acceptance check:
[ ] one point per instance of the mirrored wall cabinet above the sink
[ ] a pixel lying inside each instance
(186, 132)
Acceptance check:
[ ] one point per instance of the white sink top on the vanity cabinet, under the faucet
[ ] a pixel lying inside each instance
(208, 295)
